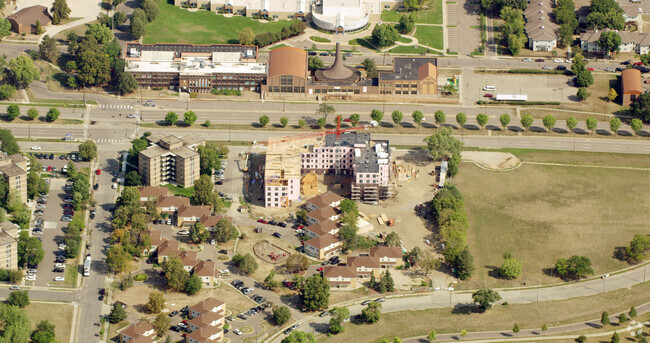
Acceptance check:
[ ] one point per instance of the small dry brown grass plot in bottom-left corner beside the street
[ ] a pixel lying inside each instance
(58, 314)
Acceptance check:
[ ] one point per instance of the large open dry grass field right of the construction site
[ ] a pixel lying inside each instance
(540, 213)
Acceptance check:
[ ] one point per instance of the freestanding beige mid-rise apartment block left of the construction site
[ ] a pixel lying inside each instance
(170, 159)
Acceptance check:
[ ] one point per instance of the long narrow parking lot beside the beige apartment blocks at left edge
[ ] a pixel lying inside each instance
(47, 217)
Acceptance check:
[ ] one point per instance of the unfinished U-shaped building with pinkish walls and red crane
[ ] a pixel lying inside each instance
(351, 154)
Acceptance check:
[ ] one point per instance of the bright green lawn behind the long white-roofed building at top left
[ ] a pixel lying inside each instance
(177, 25)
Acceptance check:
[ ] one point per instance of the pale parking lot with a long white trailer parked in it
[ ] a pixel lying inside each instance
(538, 87)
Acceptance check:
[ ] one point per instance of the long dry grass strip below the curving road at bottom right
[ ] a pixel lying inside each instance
(553, 313)
